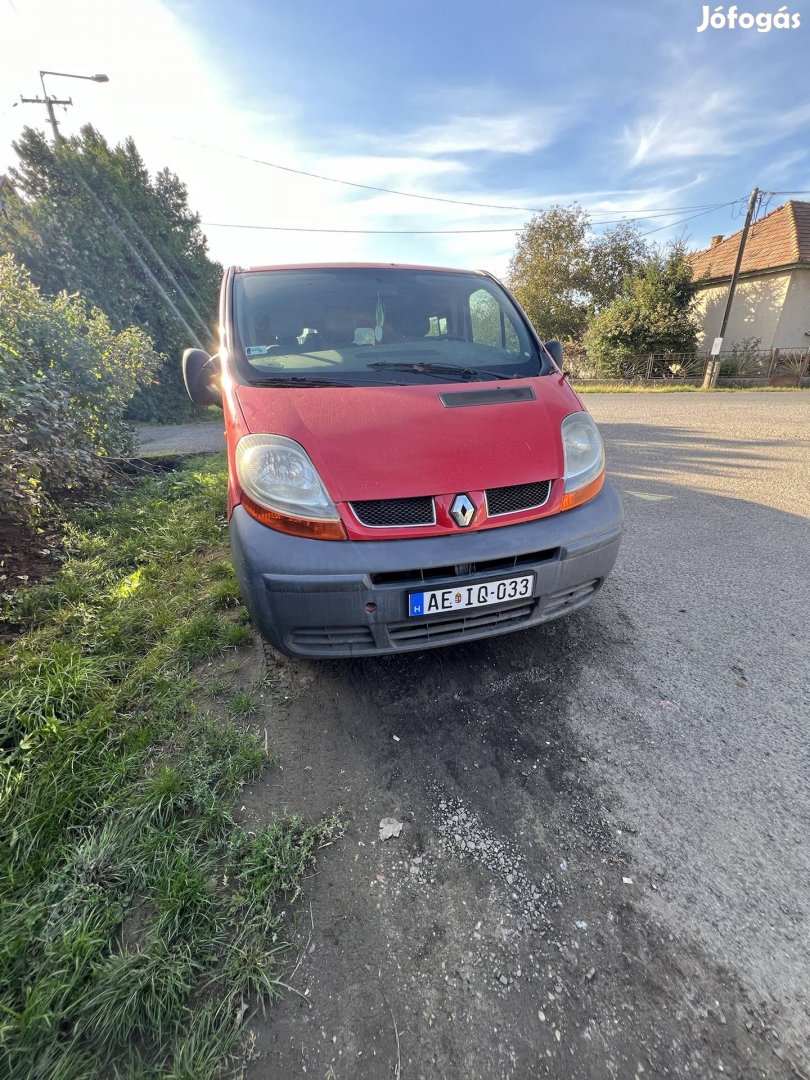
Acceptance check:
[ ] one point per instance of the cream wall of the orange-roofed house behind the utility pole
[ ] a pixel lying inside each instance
(757, 313)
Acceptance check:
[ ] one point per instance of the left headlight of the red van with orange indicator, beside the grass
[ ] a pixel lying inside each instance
(283, 489)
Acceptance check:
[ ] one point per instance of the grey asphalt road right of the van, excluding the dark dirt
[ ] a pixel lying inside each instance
(709, 746)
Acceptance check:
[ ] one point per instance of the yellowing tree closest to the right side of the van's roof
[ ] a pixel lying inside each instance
(562, 274)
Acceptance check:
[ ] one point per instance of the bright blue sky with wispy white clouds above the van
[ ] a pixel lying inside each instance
(624, 107)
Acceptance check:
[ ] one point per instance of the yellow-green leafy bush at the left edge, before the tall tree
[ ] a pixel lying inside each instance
(65, 381)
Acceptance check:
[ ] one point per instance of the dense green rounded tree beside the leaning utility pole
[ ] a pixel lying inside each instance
(655, 313)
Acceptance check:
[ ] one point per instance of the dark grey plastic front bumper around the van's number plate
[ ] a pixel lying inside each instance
(349, 599)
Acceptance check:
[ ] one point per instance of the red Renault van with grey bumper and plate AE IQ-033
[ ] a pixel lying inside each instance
(408, 465)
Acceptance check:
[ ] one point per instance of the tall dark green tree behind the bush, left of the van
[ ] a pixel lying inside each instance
(87, 218)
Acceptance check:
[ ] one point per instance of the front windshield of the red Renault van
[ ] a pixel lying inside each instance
(379, 327)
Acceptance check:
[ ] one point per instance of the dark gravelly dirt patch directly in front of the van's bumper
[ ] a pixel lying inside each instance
(504, 934)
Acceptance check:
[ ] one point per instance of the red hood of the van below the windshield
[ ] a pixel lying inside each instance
(400, 442)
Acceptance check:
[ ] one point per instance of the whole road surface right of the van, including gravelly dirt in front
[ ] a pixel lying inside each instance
(604, 868)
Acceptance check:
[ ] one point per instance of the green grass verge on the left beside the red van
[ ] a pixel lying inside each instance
(139, 920)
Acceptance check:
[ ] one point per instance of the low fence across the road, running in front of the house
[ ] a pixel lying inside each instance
(766, 367)
